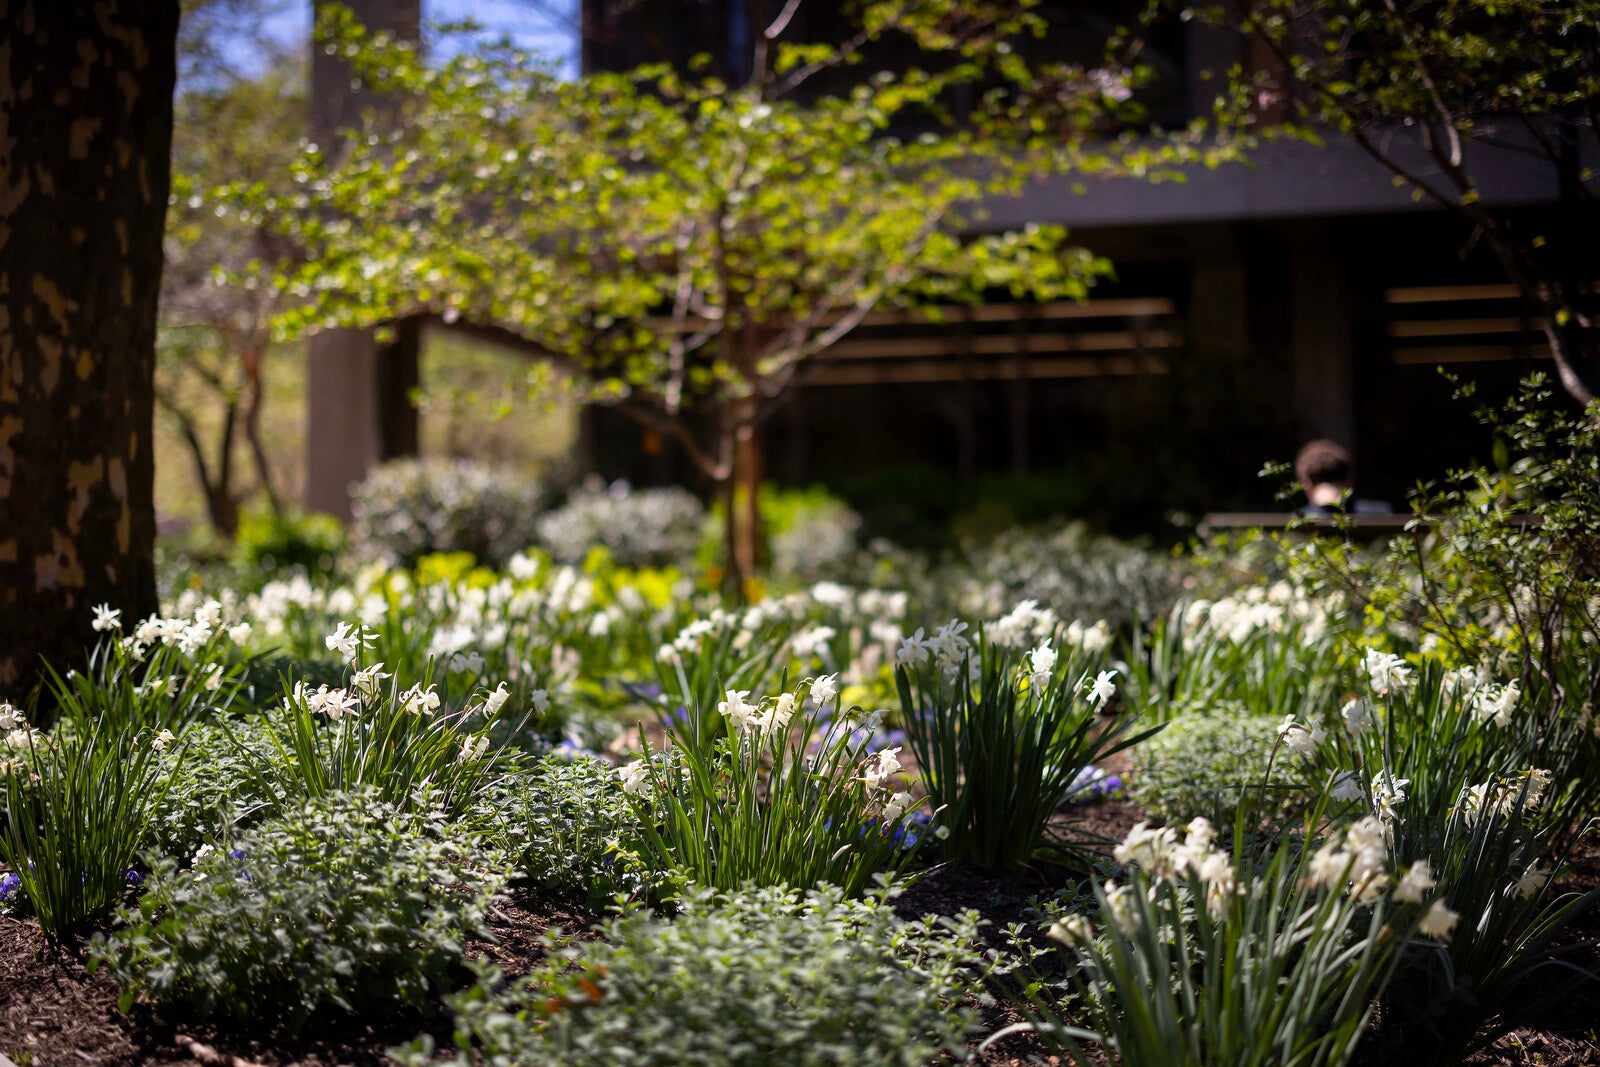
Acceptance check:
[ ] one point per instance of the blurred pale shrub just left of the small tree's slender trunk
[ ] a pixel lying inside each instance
(639, 527)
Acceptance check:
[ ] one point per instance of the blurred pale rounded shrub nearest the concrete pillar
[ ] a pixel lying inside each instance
(410, 508)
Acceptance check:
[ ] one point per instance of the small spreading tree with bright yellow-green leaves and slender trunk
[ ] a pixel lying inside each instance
(686, 246)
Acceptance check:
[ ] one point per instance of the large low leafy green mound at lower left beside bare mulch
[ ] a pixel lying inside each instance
(345, 903)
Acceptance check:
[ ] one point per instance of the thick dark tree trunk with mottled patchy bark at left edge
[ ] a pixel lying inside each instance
(86, 138)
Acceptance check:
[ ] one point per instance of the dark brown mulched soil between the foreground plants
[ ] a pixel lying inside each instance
(54, 1012)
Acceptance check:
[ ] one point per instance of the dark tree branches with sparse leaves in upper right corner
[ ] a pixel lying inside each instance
(1425, 87)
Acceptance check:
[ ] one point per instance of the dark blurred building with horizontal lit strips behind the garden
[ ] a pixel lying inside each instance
(1255, 308)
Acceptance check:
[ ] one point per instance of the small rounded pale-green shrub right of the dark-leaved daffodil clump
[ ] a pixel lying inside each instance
(1202, 765)
